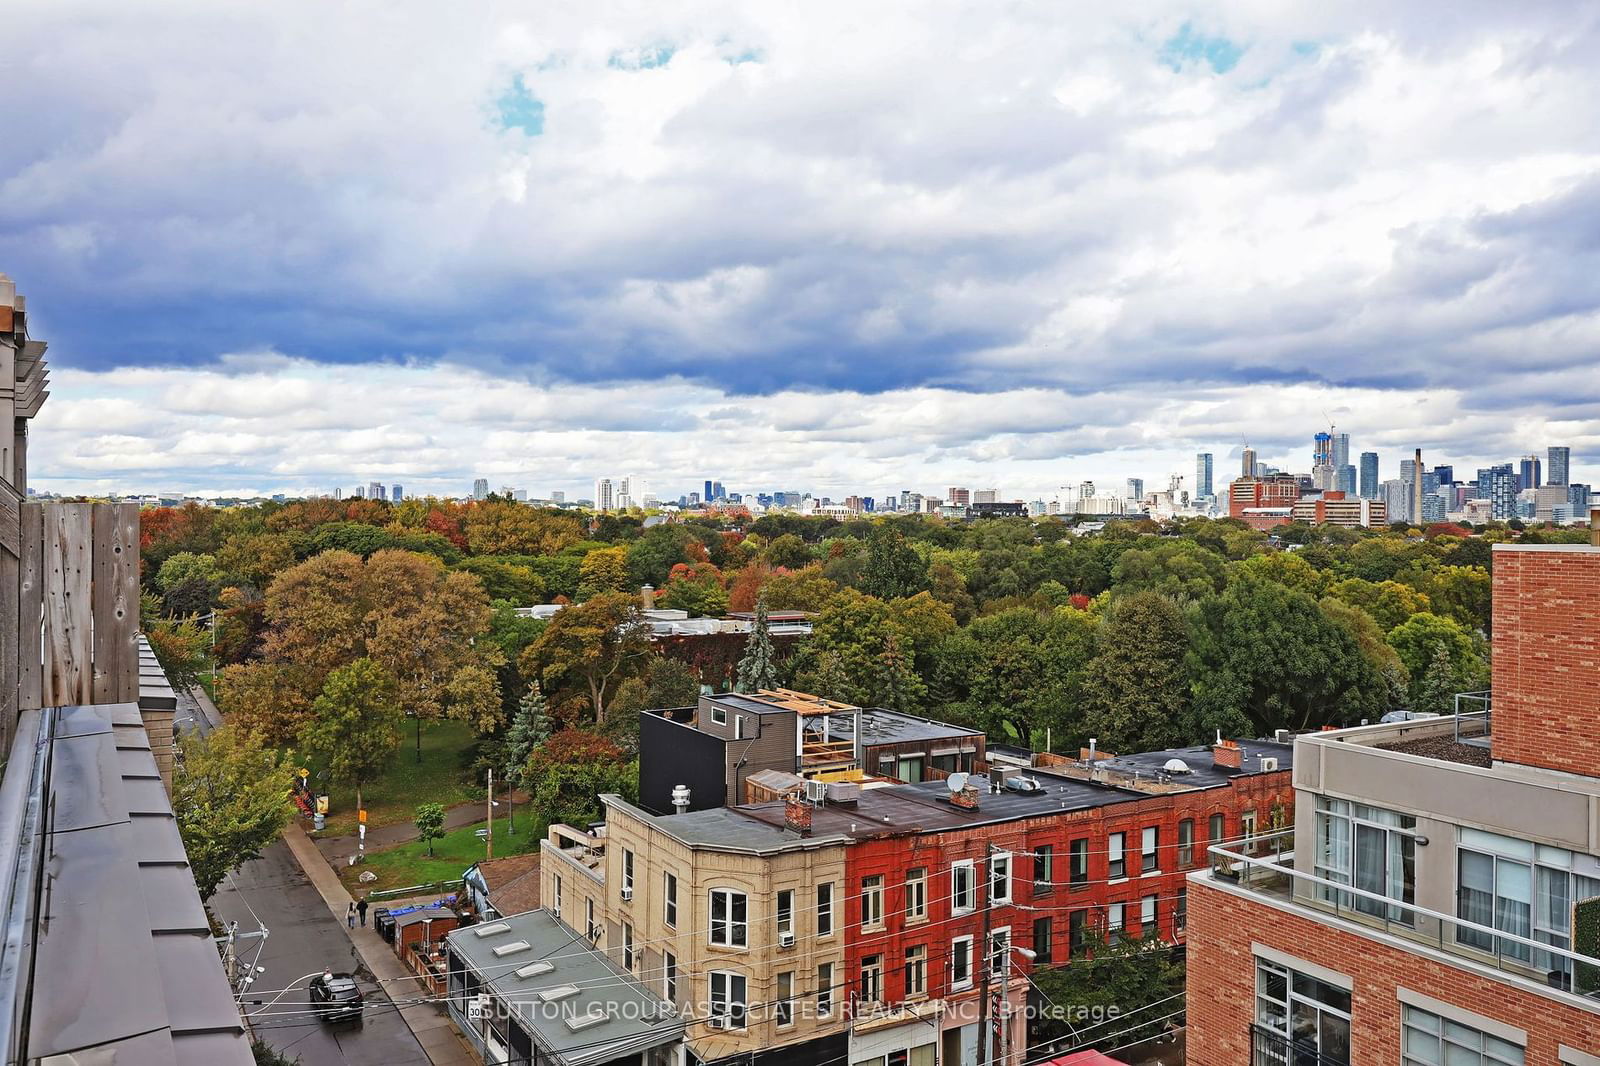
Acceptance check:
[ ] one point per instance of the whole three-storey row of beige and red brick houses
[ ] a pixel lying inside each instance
(846, 921)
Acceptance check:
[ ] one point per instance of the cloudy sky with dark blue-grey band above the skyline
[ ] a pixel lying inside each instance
(817, 246)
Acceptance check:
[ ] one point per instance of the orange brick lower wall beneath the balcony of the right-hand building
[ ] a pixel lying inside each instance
(1222, 985)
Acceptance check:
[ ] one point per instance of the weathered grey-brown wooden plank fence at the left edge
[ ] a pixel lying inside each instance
(71, 577)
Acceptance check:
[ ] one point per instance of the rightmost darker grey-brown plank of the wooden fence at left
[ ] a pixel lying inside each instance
(116, 603)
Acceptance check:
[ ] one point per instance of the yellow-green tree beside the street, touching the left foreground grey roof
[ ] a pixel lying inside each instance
(231, 798)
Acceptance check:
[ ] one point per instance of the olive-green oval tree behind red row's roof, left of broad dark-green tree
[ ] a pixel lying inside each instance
(1137, 687)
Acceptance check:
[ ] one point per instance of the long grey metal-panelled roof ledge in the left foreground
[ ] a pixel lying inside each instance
(122, 961)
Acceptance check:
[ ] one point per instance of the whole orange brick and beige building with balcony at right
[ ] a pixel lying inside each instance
(1425, 907)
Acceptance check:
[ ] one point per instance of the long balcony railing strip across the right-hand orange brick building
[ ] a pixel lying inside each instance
(1271, 873)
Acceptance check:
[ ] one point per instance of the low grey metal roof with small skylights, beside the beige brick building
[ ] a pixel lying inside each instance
(633, 1019)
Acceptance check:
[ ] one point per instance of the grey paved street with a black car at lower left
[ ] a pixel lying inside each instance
(305, 940)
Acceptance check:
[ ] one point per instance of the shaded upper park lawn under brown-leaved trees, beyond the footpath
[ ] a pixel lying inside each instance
(396, 796)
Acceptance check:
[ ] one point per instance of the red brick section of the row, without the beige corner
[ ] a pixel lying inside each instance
(1082, 851)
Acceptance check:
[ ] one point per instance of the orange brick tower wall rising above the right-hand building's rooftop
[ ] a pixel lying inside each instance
(1546, 659)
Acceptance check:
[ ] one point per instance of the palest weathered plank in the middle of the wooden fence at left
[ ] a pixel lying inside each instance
(68, 606)
